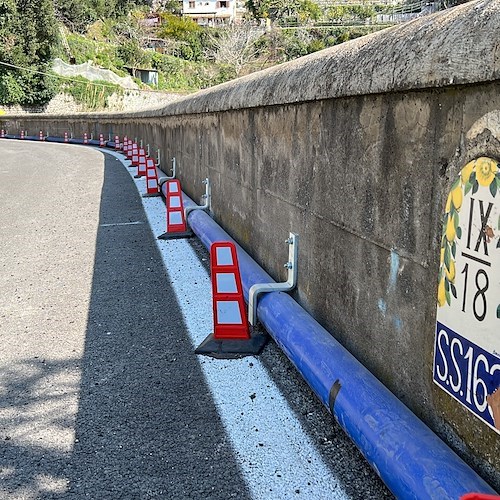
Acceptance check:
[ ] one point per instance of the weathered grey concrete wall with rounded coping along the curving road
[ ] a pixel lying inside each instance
(355, 148)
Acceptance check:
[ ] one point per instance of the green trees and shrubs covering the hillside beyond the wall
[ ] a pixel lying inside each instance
(122, 34)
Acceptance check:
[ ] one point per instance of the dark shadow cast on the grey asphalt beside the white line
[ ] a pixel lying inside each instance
(146, 425)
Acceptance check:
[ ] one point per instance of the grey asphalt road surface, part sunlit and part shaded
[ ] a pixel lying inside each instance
(101, 394)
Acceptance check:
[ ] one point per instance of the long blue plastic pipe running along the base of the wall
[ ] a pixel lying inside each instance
(411, 460)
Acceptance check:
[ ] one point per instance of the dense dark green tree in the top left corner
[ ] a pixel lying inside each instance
(28, 39)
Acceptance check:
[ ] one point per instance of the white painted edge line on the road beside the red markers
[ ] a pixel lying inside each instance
(276, 457)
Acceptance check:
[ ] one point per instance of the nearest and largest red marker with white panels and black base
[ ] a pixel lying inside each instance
(231, 337)
